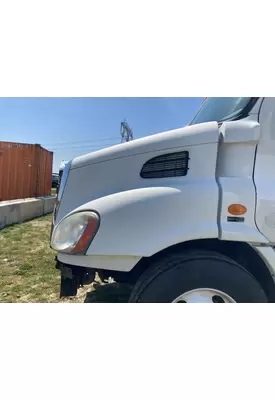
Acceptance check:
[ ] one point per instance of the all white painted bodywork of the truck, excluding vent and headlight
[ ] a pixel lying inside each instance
(233, 163)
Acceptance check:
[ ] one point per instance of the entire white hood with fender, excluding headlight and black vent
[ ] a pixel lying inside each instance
(139, 217)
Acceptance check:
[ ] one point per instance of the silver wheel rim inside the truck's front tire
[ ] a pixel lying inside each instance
(204, 295)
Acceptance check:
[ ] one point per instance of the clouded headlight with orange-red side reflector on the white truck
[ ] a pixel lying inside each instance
(75, 232)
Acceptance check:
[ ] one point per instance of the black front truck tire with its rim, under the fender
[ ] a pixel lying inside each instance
(197, 277)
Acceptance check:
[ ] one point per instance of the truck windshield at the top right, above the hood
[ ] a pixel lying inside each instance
(223, 109)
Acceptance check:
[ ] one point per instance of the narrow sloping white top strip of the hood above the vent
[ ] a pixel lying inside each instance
(190, 135)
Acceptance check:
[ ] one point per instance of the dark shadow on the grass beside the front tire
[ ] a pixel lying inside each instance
(109, 293)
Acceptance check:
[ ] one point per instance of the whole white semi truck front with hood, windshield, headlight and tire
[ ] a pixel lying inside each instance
(185, 216)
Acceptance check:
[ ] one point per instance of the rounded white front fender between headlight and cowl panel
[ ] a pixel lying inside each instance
(144, 221)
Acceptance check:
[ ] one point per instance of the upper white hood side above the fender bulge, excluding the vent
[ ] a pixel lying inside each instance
(117, 169)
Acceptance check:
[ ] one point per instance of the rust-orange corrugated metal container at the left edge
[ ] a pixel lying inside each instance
(25, 171)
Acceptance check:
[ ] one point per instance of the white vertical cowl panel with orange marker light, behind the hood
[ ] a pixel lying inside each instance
(235, 178)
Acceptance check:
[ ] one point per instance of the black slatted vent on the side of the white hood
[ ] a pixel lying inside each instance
(166, 166)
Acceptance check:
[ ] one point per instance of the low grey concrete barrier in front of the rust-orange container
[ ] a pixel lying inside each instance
(14, 211)
